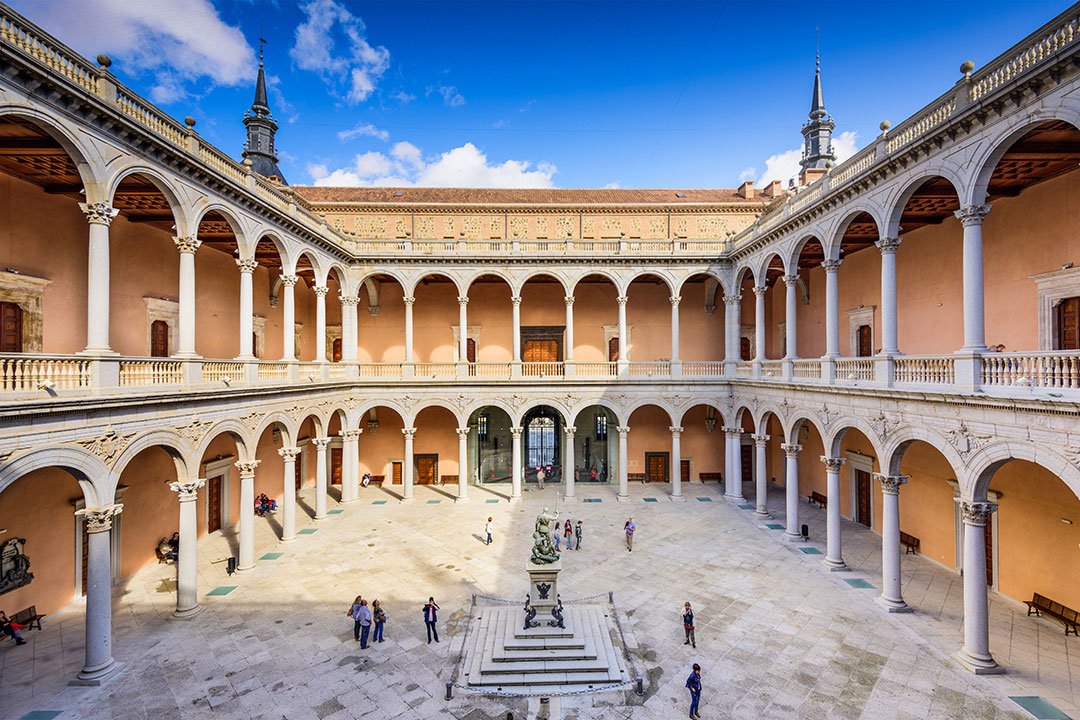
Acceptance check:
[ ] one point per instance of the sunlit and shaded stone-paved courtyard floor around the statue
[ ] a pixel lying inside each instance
(778, 635)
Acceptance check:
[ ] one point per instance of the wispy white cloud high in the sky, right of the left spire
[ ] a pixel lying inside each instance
(360, 66)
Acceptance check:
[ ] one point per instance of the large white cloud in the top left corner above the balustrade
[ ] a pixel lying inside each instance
(180, 43)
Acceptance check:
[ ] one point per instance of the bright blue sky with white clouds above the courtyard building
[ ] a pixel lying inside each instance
(539, 94)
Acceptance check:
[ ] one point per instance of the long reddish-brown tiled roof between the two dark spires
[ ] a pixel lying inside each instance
(522, 197)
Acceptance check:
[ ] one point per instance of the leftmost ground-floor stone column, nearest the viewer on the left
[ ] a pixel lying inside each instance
(99, 662)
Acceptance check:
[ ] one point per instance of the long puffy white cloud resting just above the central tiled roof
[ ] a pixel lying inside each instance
(466, 167)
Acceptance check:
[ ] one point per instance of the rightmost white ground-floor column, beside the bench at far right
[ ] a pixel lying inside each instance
(976, 655)
